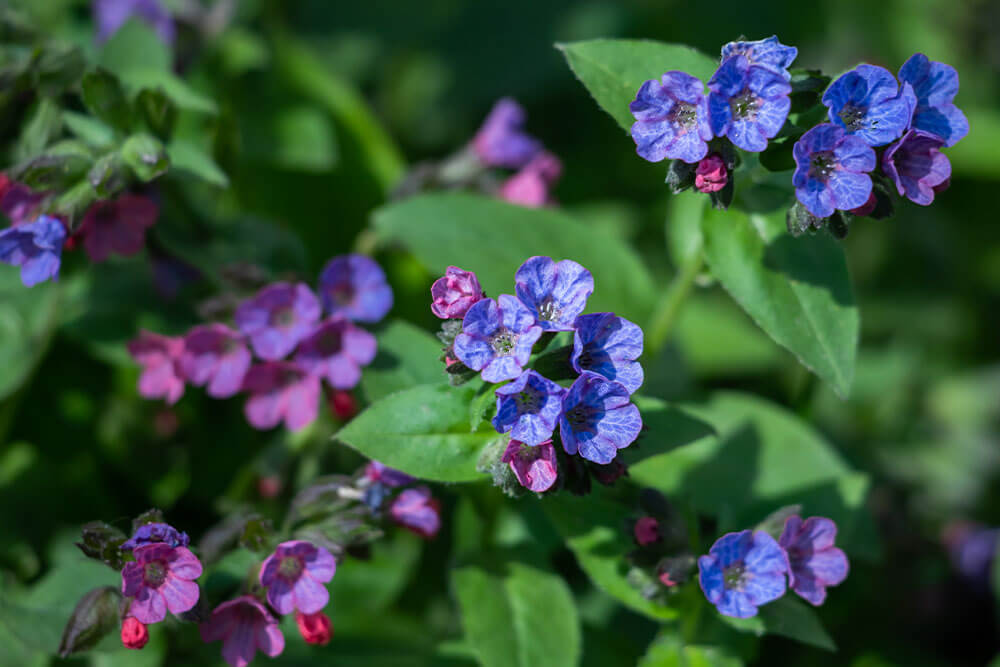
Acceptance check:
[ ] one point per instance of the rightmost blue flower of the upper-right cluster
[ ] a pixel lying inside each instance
(935, 86)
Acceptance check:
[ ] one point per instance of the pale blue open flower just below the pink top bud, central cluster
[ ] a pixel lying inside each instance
(497, 337)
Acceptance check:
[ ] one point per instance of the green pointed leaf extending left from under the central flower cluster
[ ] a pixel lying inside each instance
(423, 431)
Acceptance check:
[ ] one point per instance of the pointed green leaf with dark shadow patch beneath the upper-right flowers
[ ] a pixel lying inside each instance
(796, 290)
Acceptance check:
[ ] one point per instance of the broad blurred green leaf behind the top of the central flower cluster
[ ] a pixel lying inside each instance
(493, 238)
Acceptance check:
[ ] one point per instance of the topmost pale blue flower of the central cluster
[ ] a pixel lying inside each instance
(556, 292)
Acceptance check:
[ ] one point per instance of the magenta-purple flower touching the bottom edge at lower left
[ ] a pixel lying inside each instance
(244, 626)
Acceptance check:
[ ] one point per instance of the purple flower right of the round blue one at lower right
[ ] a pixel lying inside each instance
(813, 562)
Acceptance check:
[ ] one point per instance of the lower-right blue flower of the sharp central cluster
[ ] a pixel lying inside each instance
(598, 418)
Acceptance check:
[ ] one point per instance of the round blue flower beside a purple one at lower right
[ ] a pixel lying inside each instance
(743, 571)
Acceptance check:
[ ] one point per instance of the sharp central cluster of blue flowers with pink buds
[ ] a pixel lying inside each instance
(496, 338)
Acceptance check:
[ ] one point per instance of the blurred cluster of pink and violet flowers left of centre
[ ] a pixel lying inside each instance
(286, 341)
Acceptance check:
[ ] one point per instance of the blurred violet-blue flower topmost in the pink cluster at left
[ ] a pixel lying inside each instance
(355, 286)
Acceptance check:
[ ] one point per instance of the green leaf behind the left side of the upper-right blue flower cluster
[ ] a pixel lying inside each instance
(613, 69)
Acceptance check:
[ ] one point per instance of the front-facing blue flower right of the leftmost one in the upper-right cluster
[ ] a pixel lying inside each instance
(748, 103)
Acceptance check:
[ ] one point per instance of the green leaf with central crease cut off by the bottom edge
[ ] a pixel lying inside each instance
(525, 618)
